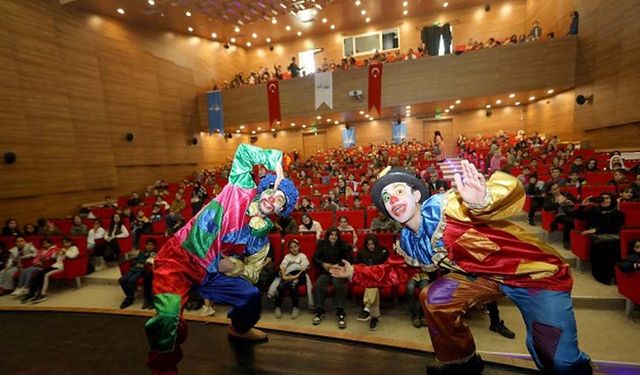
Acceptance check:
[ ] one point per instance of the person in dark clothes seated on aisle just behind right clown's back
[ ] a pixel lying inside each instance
(562, 203)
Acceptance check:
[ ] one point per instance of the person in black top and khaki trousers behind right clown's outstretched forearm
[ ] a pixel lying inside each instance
(371, 254)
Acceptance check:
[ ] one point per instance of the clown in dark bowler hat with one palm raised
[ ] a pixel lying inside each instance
(463, 232)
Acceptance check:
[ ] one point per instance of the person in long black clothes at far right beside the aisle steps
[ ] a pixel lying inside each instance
(604, 221)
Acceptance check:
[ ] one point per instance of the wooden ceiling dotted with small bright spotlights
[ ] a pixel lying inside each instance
(261, 22)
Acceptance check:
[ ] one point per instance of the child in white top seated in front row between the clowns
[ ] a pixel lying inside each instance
(292, 273)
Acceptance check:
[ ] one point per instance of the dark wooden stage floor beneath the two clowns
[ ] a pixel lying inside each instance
(75, 343)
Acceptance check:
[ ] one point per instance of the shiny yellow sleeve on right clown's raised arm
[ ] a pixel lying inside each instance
(506, 198)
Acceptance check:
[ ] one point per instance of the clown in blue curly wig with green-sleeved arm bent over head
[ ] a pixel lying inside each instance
(220, 251)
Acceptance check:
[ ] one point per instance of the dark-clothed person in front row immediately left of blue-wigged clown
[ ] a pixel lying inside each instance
(141, 268)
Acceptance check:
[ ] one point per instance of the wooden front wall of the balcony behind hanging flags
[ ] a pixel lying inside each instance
(524, 67)
